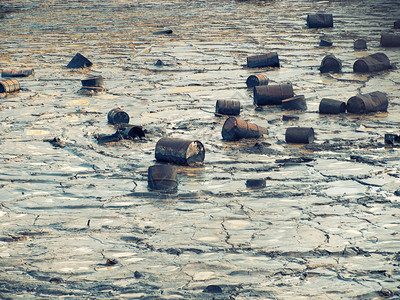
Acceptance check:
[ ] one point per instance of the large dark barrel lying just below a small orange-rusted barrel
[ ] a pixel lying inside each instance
(272, 94)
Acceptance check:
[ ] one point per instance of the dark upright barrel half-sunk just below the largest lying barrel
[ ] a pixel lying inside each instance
(162, 178)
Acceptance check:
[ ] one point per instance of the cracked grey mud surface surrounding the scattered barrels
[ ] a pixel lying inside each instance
(78, 221)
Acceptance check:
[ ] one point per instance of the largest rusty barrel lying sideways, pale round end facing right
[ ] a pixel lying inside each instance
(180, 151)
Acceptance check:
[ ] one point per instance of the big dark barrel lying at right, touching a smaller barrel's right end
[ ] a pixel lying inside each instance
(361, 104)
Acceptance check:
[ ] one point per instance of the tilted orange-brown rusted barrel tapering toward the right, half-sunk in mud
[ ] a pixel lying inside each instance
(236, 129)
